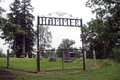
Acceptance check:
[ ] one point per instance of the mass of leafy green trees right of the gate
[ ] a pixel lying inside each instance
(103, 33)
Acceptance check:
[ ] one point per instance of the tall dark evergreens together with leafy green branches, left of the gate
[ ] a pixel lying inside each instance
(18, 27)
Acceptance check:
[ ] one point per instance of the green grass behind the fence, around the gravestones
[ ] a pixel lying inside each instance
(30, 64)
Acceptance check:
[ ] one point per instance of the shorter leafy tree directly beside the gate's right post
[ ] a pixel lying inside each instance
(92, 38)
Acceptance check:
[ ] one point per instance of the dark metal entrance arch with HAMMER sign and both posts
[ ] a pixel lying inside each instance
(55, 21)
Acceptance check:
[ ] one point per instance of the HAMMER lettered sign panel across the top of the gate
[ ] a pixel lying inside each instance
(52, 21)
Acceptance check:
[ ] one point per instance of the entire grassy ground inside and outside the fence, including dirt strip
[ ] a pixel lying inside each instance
(25, 69)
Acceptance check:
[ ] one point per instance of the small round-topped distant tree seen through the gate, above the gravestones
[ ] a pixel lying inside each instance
(65, 43)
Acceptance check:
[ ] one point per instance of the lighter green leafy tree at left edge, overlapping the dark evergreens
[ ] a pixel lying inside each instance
(8, 29)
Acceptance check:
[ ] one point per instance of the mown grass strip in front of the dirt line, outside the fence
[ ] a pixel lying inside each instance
(108, 71)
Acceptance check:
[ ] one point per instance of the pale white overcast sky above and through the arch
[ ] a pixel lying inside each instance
(76, 8)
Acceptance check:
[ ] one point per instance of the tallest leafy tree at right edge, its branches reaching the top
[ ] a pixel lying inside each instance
(108, 12)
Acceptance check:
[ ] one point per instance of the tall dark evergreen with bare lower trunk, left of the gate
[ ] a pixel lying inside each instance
(20, 14)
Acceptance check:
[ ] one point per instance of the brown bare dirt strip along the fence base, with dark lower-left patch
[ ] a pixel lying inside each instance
(11, 76)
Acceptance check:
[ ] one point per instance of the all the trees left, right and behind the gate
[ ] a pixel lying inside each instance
(101, 34)
